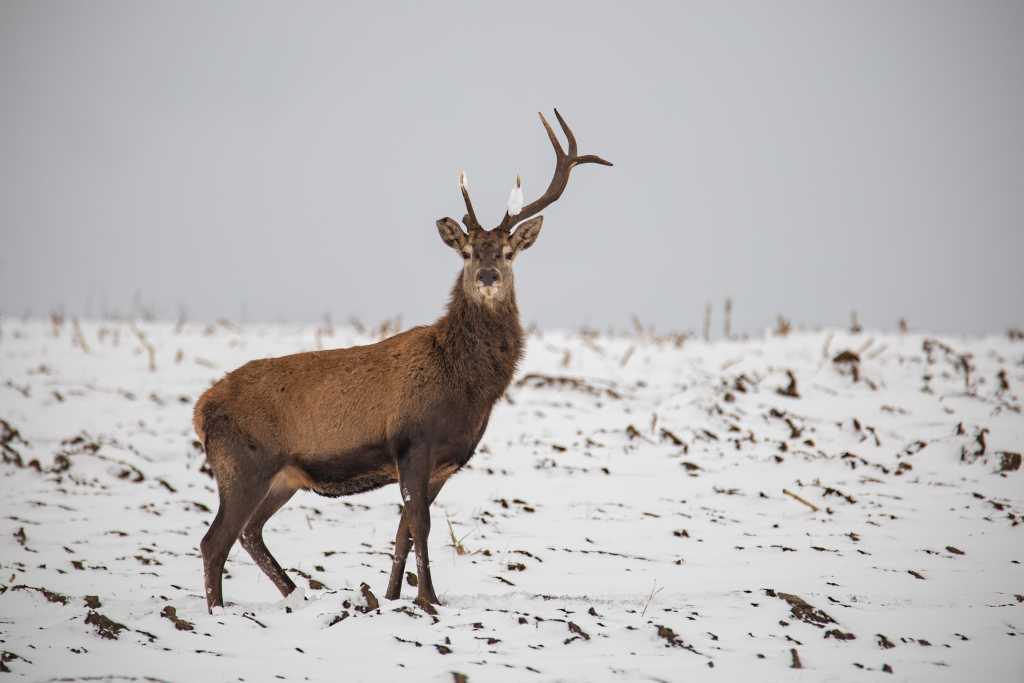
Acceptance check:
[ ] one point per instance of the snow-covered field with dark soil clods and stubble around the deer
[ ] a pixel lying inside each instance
(639, 509)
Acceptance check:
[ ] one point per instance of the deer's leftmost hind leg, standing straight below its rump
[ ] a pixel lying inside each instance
(242, 484)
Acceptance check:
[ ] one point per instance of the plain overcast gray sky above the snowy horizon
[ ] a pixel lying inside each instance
(290, 159)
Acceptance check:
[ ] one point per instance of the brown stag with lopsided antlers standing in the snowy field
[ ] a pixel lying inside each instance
(409, 410)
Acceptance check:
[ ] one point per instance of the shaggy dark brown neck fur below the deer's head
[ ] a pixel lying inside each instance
(481, 346)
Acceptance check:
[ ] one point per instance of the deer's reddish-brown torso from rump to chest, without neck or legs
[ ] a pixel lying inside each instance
(286, 417)
